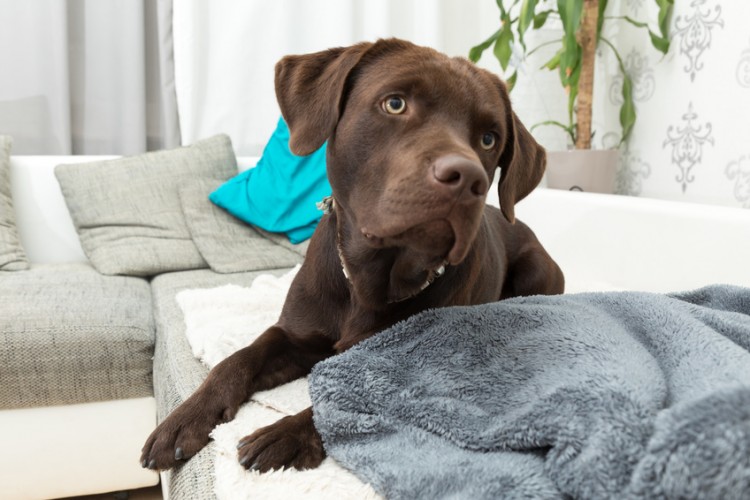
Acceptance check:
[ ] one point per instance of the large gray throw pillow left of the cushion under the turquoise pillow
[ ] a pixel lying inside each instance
(127, 211)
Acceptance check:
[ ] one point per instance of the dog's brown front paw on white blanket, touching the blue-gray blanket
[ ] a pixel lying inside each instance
(290, 442)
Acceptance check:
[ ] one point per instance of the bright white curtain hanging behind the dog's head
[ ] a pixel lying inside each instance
(225, 50)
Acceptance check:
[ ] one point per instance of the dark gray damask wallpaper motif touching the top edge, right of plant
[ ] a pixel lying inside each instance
(696, 32)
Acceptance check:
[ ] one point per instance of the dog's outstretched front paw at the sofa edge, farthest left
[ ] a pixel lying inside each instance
(182, 434)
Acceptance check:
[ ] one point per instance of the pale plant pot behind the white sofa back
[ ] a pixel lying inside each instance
(588, 170)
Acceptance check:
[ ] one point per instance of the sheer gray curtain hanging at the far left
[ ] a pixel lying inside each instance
(87, 76)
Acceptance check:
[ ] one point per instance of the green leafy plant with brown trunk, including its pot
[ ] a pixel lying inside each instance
(582, 22)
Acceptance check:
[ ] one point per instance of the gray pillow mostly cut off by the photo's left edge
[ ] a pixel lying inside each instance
(12, 256)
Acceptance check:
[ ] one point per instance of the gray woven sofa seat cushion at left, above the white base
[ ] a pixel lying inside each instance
(71, 335)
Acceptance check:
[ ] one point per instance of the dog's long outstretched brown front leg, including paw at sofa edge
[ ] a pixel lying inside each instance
(273, 359)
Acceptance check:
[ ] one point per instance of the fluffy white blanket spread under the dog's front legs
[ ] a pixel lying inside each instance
(220, 321)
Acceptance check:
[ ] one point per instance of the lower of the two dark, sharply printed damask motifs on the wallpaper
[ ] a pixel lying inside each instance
(687, 145)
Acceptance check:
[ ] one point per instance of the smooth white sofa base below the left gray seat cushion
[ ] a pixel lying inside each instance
(62, 451)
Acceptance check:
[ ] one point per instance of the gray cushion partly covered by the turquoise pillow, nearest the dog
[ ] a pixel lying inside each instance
(228, 244)
